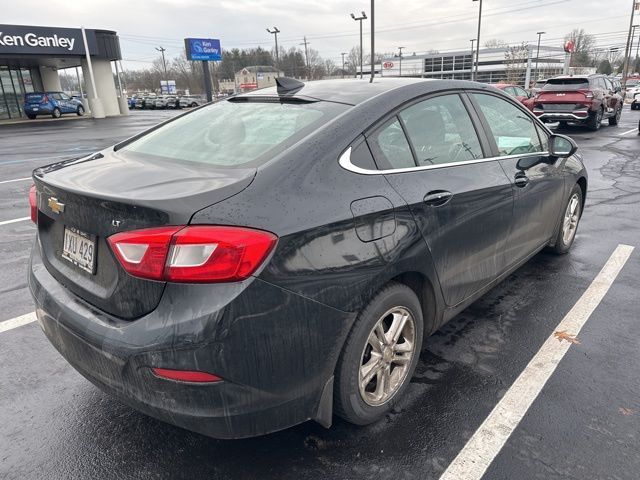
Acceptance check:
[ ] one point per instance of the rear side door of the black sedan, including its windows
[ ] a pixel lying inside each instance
(436, 159)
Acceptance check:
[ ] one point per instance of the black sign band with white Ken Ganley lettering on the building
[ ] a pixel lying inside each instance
(20, 39)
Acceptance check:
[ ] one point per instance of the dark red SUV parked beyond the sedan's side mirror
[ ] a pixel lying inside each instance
(581, 99)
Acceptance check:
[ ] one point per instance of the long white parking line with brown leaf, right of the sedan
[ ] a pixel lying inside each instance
(485, 444)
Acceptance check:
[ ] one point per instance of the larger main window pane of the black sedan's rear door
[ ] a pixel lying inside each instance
(441, 131)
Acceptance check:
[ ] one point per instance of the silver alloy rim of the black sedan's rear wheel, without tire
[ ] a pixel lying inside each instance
(386, 357)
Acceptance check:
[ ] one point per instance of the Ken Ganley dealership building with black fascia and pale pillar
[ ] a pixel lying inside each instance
(31, 56)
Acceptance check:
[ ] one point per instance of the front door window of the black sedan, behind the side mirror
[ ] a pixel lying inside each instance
(513, 130)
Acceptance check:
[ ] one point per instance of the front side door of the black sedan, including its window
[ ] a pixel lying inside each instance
(522, 145)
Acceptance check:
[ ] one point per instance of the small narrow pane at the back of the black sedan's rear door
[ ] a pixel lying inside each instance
(390, 147)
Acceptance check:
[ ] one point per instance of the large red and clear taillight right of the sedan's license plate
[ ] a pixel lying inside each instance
(193, 254)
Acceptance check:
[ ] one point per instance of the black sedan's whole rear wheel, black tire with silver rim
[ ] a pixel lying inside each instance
(368, 352)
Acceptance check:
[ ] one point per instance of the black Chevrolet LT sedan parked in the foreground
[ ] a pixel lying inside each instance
(279, 256)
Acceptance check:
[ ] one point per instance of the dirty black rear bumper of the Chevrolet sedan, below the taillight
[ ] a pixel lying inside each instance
(274, 350)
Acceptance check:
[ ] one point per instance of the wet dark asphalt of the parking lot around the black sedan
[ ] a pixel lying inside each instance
(582, 424)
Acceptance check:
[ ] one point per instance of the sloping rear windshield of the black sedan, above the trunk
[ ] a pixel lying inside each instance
(229, 134)
